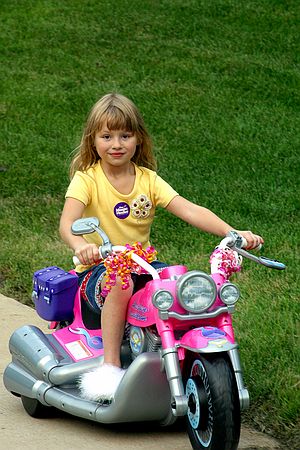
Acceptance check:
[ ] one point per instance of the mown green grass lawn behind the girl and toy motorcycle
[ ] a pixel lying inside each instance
(218, 85)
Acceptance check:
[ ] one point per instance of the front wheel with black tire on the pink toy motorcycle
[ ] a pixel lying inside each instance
(213, 418)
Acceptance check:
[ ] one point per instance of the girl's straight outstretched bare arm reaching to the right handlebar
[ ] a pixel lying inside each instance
(206, 220)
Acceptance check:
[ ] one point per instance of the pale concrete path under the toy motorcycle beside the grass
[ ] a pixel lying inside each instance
(19, 431)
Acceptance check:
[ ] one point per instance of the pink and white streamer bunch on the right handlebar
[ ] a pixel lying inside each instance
(226, 261)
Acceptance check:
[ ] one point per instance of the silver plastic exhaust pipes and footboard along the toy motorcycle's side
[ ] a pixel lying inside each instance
(40, 369)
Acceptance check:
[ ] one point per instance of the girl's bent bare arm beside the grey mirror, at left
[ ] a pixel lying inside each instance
(86, 252)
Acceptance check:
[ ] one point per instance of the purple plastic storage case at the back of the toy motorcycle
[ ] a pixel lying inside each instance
(53, 293)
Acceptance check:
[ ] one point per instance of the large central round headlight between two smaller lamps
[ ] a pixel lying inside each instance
(196, 291)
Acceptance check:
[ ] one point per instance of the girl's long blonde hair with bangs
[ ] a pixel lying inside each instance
(117, 112)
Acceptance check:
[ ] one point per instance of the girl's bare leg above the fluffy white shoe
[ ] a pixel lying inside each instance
(113, 317)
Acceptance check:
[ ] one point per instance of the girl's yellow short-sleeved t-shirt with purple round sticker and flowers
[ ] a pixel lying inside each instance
(125, 218)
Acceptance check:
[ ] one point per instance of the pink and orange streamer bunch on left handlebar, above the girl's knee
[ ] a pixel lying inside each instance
(122, 265)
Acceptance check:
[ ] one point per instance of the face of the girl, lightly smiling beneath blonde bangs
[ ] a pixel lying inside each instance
(115, 147)
